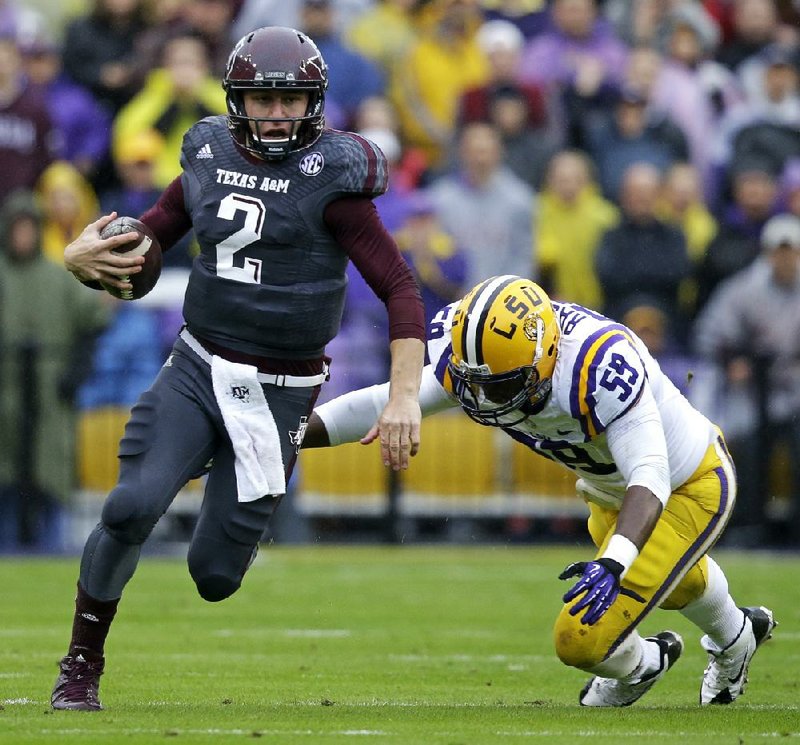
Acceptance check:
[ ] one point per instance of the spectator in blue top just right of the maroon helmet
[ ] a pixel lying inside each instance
(352, 76)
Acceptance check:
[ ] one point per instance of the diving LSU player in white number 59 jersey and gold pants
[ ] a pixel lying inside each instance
(660, 486)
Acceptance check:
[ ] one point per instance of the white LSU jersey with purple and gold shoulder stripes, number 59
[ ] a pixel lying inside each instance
(604, 377)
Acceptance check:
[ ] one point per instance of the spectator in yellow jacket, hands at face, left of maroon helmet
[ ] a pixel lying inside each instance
(175, 96)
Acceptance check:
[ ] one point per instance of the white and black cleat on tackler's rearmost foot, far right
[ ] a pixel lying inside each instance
(725, 677)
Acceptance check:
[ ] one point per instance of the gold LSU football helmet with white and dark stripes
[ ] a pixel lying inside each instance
(505, 342)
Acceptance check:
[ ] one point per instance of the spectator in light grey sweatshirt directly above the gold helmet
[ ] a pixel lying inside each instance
(486, 208)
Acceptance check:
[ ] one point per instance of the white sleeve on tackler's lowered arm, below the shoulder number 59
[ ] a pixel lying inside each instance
(639, 448)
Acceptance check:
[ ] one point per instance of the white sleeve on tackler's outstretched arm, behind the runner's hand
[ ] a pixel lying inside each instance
(349, 417)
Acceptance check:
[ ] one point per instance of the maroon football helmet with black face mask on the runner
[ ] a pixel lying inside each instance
(279, 58)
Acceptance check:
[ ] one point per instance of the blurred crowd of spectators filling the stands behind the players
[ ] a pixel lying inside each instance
(627, 155)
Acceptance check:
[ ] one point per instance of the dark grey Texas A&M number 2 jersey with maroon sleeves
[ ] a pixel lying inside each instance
(275, 238)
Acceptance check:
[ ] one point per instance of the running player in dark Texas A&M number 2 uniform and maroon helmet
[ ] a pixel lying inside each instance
(279, 205)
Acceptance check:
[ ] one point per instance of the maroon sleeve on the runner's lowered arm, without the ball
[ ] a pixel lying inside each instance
(354, 223)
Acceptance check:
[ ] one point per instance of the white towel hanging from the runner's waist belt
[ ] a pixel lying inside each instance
(252, 429)
